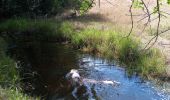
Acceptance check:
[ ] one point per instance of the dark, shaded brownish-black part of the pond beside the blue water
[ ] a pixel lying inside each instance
(43, 67)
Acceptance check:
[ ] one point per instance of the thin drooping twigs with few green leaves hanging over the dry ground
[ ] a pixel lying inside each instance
(147, 15)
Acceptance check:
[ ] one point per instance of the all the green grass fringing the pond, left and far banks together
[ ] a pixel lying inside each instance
(106, 43)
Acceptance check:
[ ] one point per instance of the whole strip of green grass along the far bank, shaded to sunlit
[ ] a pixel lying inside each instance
(108, 43)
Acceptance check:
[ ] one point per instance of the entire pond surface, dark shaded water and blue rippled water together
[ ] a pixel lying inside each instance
(44, 66)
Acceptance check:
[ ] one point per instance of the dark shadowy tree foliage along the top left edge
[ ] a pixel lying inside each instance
(34, 8)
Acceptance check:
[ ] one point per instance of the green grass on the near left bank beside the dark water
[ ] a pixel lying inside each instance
(9, 76)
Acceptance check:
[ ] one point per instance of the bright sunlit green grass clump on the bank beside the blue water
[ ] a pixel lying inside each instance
(127, 51)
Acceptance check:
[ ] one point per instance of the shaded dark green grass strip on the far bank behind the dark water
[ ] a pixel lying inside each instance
(41, 30)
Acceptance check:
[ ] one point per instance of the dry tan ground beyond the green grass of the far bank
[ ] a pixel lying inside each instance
(115, 13)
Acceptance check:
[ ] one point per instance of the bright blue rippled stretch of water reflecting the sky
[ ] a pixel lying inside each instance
(129, 89)
